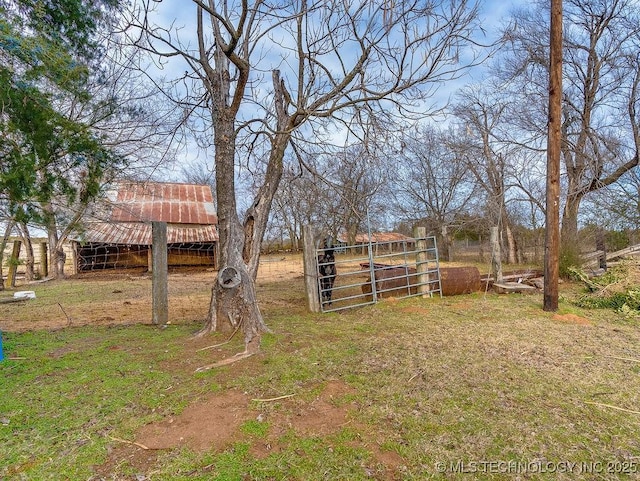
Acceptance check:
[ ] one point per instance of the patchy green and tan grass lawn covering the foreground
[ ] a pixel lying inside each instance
(480, 386)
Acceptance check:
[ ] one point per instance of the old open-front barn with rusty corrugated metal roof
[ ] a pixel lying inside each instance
(121, 235)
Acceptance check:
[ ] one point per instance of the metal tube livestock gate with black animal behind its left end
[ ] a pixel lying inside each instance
(361, 274)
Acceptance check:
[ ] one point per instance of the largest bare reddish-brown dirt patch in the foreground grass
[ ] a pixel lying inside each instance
(214, 424)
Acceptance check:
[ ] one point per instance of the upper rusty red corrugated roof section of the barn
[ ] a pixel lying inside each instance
(164, 202)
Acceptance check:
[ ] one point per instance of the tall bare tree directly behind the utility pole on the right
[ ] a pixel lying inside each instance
(600, 125)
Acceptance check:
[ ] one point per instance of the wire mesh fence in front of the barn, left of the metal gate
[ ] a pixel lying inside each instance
(123, 296)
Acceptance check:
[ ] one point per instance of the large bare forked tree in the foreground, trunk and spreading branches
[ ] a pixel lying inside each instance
(326, 62)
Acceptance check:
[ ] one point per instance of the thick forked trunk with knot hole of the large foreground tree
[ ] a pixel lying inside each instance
(234, 302)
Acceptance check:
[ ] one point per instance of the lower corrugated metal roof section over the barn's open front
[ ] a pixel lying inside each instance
(138, 233)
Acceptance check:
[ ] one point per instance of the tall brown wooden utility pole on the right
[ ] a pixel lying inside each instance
(552, 239)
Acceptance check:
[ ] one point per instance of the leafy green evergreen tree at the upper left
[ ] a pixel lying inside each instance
(48, 50)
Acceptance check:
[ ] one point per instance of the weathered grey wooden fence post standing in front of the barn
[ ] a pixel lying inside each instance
(160, 290)
